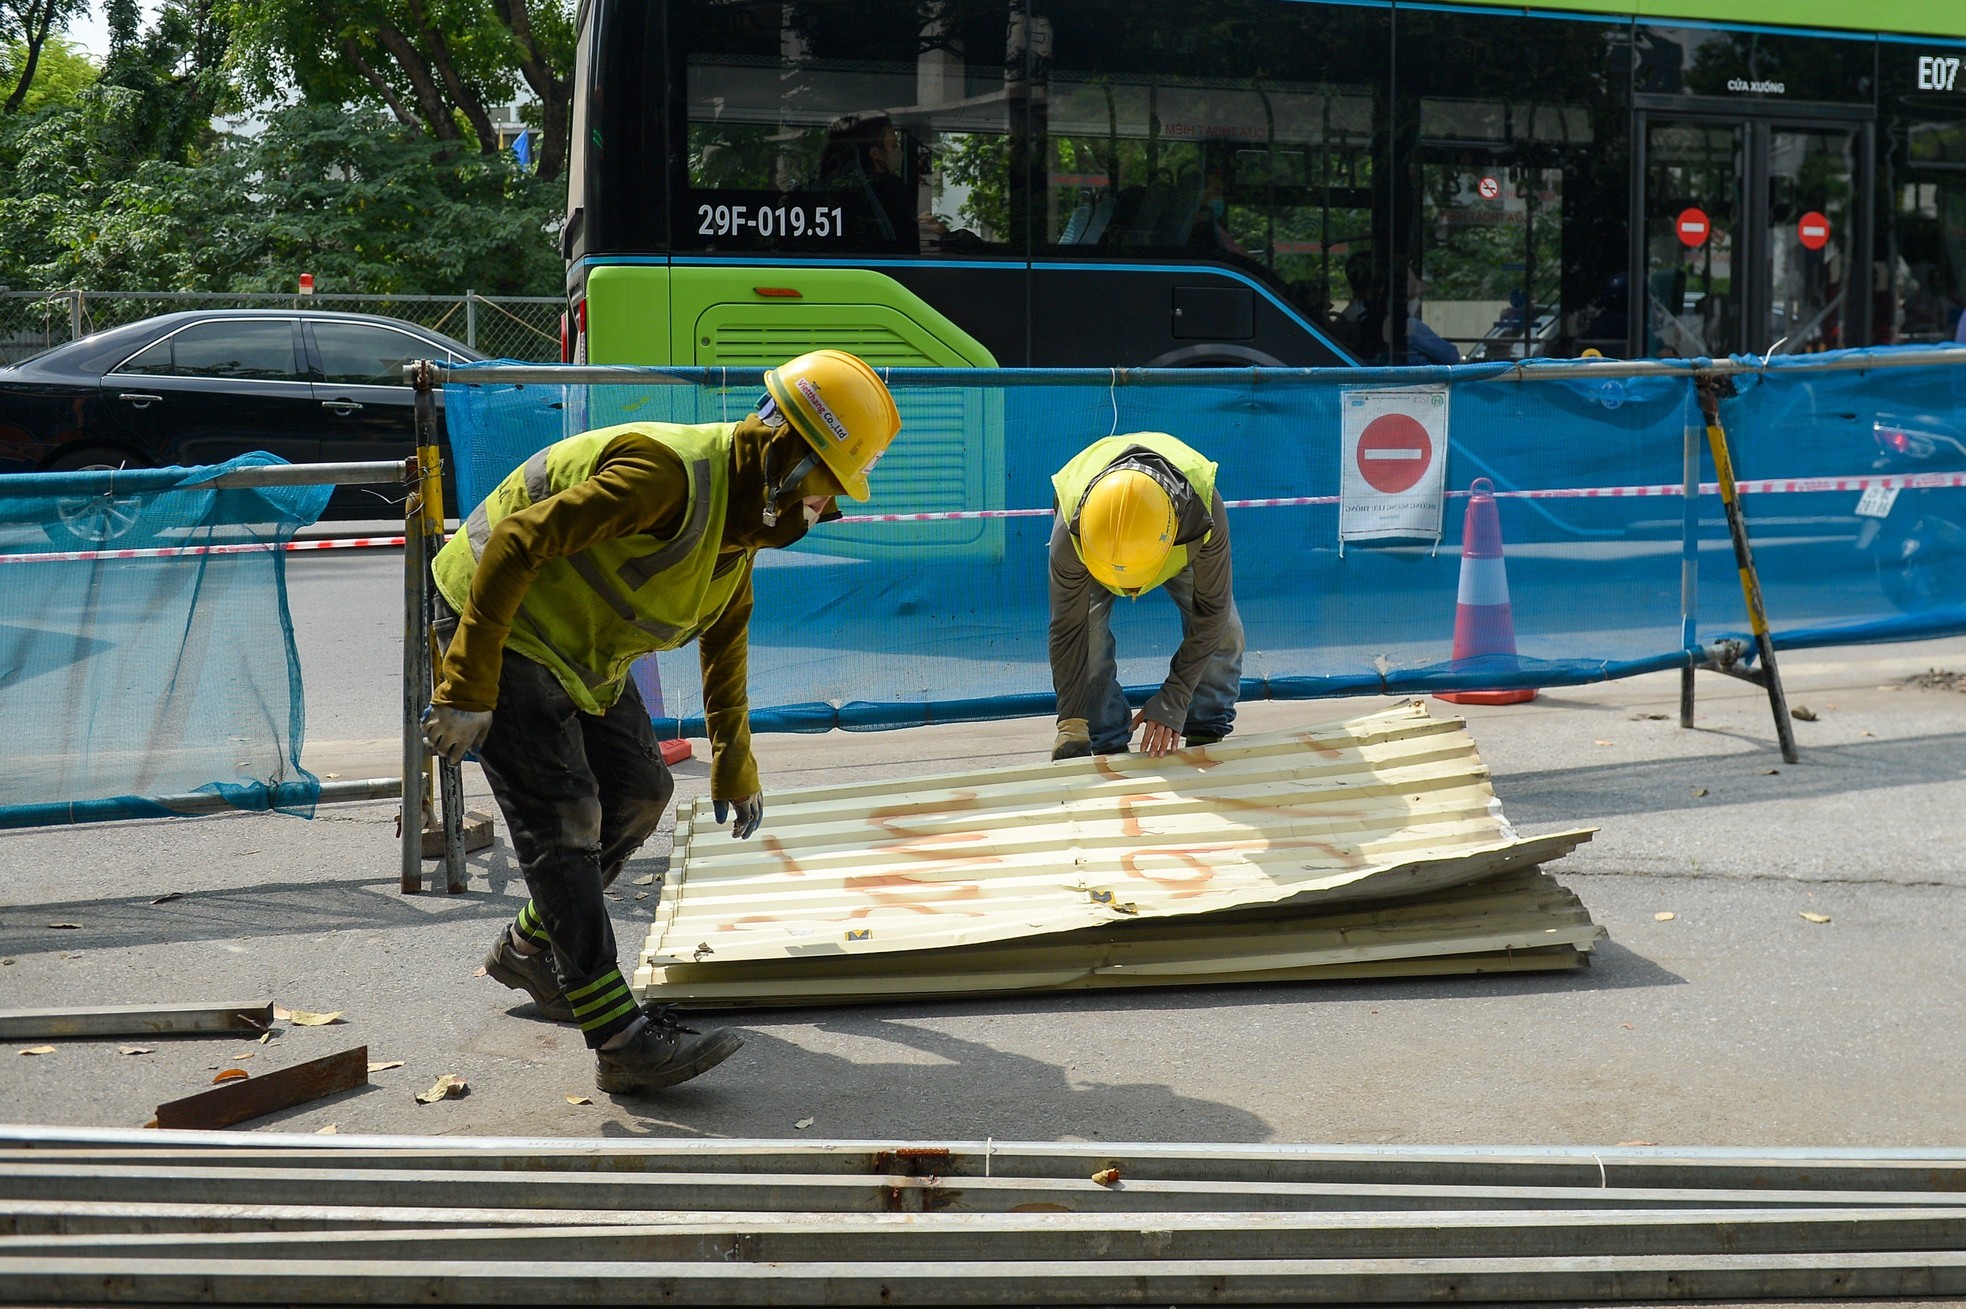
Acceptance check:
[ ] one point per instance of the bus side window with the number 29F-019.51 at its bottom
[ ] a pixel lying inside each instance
(842, 127)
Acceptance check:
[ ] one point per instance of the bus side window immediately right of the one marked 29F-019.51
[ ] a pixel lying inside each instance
(1243, 137)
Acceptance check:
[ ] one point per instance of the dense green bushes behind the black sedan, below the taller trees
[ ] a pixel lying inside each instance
(345, 196)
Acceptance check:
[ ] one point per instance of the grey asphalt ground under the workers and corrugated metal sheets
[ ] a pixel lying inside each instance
(1733, 1023)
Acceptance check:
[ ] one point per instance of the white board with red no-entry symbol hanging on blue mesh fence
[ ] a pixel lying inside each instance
(1395, 447)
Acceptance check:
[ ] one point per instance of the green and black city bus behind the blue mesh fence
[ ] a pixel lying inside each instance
(1263, 182)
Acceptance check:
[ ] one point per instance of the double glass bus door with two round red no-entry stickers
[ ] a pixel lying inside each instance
(1749, 237)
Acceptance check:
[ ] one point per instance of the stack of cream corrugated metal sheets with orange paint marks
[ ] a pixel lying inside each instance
(1373, 846)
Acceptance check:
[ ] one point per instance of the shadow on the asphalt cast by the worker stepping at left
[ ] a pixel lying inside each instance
(897, 1080)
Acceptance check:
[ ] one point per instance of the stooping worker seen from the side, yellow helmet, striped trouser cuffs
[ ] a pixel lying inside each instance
(597, 551)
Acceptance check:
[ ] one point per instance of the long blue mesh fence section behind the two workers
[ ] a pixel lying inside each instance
(929, 604)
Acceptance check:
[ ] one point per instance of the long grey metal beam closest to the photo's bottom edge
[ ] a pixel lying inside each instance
(1092, 1282)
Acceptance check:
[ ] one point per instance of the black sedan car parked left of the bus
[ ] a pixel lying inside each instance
(200, 388)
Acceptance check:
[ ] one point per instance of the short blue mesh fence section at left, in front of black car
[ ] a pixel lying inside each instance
(146, 650)
